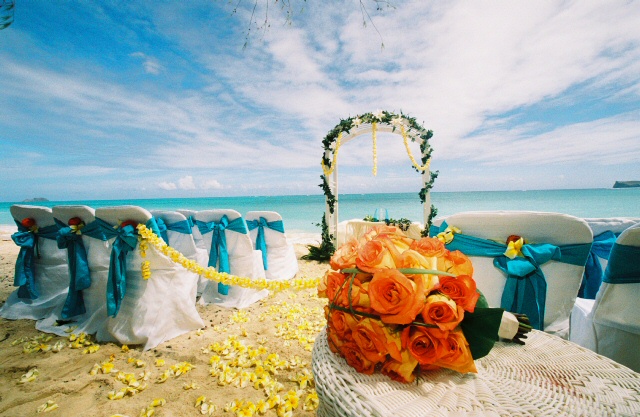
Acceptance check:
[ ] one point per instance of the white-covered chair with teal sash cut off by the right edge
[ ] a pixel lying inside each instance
(610, 324)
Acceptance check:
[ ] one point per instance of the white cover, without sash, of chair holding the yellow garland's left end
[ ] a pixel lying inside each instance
(153, 310)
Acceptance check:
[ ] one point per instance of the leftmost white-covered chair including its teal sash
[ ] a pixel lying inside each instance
(41, 273)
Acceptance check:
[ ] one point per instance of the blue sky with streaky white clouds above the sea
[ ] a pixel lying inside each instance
(162, 99)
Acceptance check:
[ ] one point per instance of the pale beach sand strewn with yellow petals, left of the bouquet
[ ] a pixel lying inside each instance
(286, 323)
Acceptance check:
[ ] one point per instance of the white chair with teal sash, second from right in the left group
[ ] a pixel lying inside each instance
(226, 235)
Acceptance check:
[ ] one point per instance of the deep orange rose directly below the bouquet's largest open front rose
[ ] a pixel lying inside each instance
(376, 341)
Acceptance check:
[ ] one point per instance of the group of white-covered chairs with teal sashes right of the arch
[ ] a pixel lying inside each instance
(544, 281)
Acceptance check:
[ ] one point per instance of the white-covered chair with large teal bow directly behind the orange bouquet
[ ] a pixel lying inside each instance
(543, 280)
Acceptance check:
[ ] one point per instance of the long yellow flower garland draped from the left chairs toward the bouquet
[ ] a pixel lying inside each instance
(296, 284)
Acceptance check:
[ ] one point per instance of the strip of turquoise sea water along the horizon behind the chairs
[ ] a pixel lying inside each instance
(301, 213)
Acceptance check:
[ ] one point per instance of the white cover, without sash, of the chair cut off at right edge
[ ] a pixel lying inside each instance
(610, 324)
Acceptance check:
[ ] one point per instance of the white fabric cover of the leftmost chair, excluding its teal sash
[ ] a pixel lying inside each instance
(51, 272)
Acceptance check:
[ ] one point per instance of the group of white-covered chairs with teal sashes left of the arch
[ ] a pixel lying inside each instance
(77, 266)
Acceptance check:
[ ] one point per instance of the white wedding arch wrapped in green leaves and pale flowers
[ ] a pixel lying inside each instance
(352, 127)
